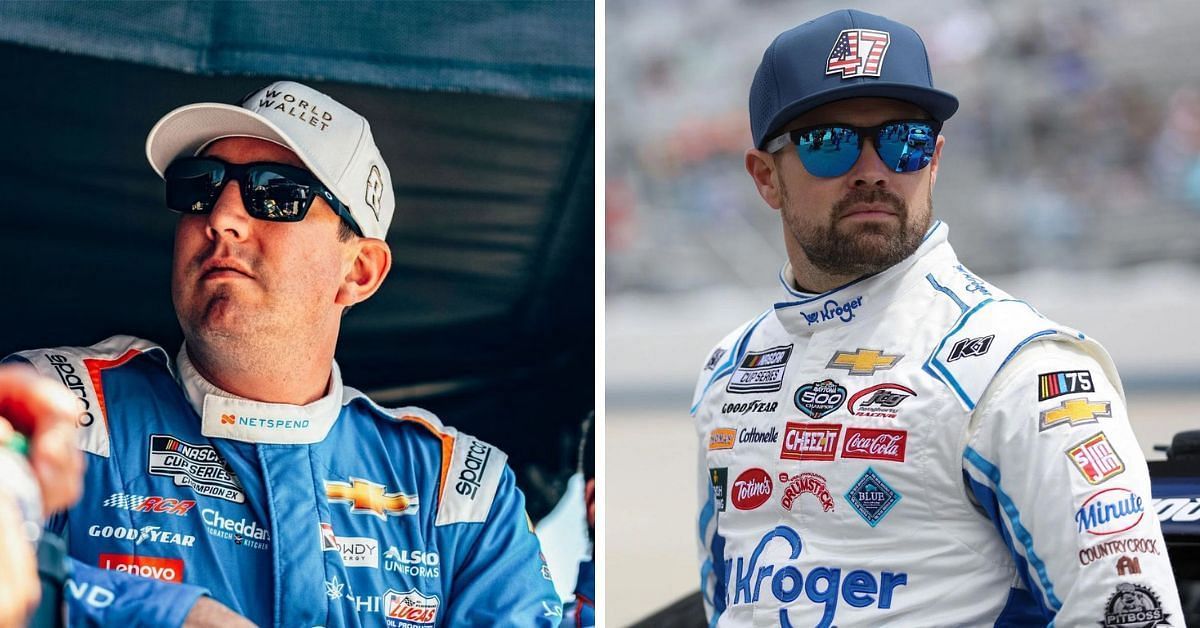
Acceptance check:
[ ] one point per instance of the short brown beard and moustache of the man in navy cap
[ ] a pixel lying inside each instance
(871, 248)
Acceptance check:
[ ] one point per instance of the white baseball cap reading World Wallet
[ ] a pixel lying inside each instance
(333, 142)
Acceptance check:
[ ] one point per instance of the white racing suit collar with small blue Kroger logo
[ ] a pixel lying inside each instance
(803, 313)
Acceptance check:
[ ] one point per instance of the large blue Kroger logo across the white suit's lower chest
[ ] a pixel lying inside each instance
(821, 585)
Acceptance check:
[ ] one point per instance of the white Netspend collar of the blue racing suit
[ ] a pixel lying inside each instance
(227, 416)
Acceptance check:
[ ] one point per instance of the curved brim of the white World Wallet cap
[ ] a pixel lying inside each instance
(188, 130)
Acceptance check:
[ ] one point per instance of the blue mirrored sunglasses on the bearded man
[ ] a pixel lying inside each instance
(833, 149)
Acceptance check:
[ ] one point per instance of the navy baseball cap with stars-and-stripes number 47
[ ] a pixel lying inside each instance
(845, 55)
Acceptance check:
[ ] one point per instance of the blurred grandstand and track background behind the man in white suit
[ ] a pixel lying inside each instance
(1072, 180)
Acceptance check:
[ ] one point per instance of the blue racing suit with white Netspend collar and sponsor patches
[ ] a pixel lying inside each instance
(338, 513)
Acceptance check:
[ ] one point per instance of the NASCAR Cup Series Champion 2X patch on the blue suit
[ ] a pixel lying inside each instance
(199, 466)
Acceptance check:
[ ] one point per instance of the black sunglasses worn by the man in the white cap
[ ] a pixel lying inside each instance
(269, 192)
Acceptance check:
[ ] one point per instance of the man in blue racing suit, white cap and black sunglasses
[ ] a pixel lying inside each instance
(241, 481)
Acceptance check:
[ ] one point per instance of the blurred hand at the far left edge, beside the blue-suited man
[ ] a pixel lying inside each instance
(47, 412)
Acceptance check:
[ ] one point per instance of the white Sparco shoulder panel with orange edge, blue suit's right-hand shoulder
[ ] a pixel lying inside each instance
(471, 469)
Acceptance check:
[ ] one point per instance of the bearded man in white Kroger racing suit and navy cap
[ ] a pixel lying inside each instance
(898, 442)
